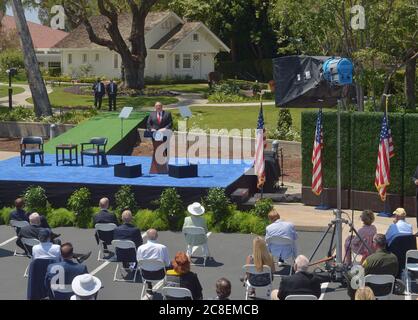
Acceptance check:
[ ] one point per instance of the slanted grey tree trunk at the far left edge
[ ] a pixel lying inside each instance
(41, 102)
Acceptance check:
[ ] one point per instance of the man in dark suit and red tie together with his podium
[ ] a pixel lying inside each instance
(159, 123)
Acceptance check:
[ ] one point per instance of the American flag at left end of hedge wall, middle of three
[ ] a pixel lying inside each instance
(317, 183)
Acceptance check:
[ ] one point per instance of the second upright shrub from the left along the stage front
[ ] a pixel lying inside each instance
(79, 203)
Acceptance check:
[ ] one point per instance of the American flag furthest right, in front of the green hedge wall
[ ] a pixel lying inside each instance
(386, 152)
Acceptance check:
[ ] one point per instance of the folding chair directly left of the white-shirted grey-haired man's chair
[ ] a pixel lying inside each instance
(125, 251)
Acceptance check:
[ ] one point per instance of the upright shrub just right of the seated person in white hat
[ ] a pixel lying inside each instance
(218, 203)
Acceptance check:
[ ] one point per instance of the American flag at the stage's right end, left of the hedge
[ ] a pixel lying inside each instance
(260, 145)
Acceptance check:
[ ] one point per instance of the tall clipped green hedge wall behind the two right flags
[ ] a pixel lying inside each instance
(360, 140)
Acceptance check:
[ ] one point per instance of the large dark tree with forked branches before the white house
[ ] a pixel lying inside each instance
(133, 51)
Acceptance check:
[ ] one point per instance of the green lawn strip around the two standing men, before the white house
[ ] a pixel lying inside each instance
(60, 98)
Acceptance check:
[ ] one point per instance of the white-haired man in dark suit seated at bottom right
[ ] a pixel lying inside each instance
(300, 283)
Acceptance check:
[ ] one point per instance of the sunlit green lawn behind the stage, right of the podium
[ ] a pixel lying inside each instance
(242, 117)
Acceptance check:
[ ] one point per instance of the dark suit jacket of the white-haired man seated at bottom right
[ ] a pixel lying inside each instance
(300, 283)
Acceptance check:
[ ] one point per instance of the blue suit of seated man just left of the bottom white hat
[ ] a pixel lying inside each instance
(71, 270)
